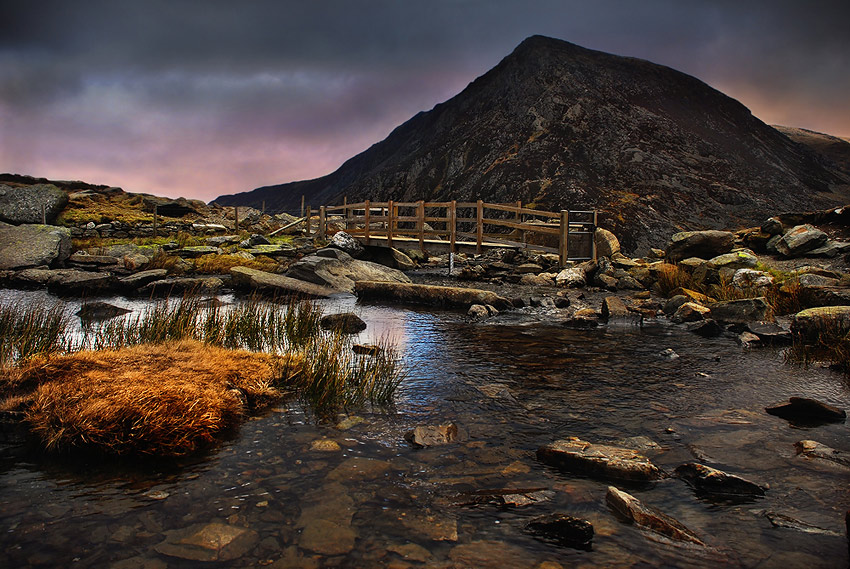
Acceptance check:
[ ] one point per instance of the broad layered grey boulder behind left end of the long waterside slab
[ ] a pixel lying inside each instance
(341, 274)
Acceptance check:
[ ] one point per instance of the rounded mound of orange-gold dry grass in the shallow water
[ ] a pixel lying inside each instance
(166, 400)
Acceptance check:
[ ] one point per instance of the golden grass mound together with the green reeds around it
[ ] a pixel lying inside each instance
(170, 380)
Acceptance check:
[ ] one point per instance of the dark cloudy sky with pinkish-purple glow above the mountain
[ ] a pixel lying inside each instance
(212, 97)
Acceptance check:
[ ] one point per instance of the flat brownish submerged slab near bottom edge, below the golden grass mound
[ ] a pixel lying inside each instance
(208, 542)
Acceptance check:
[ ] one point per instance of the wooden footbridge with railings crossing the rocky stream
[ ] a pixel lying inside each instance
(462, 227)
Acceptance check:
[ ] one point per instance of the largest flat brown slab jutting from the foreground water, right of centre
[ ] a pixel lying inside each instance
(582, 457)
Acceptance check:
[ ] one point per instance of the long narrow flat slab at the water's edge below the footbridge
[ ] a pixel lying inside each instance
(429, 294)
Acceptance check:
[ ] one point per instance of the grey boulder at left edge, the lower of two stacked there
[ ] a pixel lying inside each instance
(26, 246)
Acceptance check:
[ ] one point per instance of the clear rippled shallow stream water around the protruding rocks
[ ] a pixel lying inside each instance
(511, 385)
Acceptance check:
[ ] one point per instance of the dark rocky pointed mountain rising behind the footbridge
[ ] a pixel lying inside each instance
(564, 127)
